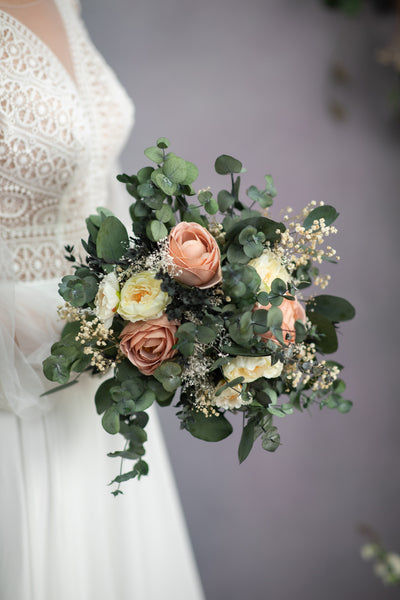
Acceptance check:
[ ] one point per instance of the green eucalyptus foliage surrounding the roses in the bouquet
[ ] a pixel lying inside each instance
(227, 320)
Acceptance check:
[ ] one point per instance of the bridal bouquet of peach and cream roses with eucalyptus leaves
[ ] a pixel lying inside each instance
(202, 302)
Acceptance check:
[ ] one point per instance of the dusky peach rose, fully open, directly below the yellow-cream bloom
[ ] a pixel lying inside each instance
(147, 344)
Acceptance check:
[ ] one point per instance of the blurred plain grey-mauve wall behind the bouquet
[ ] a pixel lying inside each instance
(252, 79)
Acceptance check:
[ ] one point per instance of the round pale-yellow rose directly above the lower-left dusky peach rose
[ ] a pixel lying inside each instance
(142, 298)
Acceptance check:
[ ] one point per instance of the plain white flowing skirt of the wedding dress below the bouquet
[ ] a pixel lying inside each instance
(63, 535)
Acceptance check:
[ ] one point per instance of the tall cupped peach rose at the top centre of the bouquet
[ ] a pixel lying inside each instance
(195, 255)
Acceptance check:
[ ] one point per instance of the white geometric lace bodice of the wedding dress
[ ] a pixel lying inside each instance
(59, 138)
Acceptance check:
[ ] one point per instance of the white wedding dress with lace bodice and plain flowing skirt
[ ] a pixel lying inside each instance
(63, 536)
